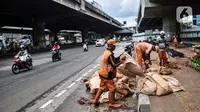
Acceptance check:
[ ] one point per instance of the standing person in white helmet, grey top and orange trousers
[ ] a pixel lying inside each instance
(162, 44)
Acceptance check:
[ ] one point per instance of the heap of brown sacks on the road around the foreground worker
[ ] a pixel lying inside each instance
(125, 79)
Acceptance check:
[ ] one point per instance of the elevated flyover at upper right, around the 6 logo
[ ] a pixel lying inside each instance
(161, 14)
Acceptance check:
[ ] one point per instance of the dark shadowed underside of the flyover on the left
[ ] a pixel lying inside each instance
(54, 15)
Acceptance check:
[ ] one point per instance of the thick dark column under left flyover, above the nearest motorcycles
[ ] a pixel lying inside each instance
(38, 33)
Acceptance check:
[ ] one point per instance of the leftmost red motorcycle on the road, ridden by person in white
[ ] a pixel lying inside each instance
(20, 65)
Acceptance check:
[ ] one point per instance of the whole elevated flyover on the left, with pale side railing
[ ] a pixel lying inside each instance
(56, 15)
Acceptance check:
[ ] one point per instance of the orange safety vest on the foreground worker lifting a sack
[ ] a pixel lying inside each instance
(106, 68)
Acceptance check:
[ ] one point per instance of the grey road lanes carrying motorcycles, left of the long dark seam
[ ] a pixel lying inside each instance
(16, 91)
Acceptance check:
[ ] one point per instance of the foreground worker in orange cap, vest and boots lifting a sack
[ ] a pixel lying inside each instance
(107, 73)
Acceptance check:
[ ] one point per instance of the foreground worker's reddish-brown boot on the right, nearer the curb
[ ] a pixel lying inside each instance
(111, 98)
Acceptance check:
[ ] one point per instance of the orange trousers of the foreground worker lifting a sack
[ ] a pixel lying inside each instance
(107, 85)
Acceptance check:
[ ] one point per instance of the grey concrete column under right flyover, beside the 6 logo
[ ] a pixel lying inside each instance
(169, 25)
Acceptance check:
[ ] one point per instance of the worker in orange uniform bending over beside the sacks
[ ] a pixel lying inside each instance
(143, 51)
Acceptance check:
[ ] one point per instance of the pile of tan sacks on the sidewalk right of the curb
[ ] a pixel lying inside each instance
(157, 82)
